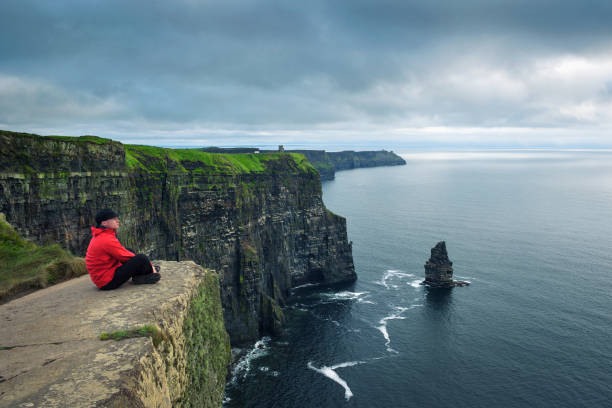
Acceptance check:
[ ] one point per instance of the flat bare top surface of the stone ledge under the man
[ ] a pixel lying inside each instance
(50, 352)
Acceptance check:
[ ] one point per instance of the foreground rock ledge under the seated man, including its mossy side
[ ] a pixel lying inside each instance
(172, 347)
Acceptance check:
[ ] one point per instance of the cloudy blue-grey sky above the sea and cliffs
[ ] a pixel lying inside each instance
(384, 73)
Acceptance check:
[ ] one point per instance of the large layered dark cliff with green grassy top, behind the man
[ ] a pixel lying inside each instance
(257, 219)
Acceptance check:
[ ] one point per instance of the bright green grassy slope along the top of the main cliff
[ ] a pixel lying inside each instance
(159, 159)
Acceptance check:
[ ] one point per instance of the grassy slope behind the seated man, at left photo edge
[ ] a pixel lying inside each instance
(25, 266)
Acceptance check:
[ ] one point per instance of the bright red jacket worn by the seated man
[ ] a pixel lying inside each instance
(104, 255)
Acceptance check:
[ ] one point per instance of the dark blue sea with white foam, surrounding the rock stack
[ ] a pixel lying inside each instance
(530, 230)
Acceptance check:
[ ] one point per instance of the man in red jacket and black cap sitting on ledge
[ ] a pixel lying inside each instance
(109, 264)
